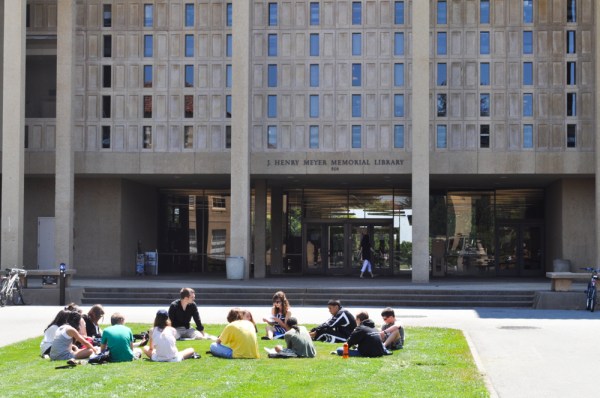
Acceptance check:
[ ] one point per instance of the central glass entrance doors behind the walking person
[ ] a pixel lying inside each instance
(332, 247)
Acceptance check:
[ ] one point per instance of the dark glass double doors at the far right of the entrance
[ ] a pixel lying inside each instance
(520, 248)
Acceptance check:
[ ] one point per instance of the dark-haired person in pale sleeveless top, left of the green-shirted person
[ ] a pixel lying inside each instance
(62, 345)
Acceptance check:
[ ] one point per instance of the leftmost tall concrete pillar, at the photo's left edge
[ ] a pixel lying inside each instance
(13, 134)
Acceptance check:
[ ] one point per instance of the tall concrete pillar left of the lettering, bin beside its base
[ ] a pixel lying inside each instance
(240, 135)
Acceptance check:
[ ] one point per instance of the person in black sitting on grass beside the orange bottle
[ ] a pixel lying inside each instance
(366, 338)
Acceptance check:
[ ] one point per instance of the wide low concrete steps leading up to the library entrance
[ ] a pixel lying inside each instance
(314, 297)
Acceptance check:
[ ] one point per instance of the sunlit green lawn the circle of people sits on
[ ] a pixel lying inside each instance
(434, 363)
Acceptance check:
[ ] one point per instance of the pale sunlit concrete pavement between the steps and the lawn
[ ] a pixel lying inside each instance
(522, 352)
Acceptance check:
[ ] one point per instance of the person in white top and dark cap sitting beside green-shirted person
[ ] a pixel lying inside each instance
(162, 343)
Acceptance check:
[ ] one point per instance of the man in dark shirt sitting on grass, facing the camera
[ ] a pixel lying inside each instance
(181, 313)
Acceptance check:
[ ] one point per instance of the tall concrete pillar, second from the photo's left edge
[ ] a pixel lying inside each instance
(64, 184)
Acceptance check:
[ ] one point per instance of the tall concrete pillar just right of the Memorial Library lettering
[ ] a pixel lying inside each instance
(420, 139)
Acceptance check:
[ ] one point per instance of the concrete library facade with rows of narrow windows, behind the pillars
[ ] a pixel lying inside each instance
(169, 96)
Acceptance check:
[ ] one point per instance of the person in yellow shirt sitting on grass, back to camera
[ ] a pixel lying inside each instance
(238, 339)
